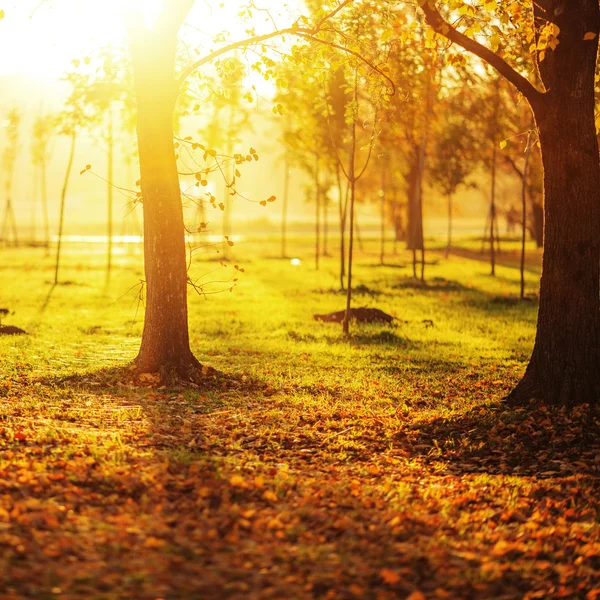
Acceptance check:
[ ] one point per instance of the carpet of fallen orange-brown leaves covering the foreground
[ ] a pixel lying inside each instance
(196, 499)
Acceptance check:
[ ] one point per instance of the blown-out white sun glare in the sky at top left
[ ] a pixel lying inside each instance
(39, 39)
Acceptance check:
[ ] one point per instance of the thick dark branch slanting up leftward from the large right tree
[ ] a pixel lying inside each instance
(442, 27)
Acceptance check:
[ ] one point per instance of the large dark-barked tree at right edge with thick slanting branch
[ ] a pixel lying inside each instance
(565, 363)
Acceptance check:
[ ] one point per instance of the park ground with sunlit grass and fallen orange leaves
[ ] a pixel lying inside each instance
(384, 466)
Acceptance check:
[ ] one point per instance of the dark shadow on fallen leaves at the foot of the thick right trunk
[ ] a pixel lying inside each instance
(538, 441)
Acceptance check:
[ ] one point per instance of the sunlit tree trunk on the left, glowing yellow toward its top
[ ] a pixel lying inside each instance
(165, 339)
